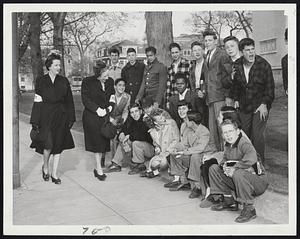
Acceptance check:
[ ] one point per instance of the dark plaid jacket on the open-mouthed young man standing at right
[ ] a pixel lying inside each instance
(258, 90)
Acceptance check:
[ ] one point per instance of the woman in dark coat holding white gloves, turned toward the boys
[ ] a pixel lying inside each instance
(96, 92)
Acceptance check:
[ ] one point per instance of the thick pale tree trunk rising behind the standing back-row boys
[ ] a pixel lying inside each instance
(159, 32)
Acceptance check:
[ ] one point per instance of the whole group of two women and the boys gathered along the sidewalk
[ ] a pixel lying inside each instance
(204, 119)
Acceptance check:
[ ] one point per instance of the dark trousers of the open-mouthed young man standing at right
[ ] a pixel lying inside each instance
(255, 130)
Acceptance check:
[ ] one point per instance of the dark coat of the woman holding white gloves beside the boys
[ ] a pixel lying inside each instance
(93, 96)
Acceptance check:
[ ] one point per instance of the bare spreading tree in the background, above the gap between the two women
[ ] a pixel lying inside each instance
(84, 32)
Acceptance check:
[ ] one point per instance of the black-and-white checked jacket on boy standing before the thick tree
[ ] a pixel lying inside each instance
(184, 67)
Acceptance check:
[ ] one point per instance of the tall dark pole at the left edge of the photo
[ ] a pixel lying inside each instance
(15, 101)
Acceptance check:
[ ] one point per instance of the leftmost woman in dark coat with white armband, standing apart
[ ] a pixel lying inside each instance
(53, 115)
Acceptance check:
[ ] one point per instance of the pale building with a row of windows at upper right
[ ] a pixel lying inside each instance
(268, 33)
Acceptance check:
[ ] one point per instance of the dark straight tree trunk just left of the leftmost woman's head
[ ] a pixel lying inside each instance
(35, 47)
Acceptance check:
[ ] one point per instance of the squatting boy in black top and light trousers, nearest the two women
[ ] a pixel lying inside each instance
(134, 139)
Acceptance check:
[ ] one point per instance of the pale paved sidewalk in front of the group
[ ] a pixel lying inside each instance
(120, 200)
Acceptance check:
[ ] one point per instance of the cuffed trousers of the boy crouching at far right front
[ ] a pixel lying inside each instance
(245, 184)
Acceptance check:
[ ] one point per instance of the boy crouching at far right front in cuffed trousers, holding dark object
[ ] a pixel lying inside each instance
(240, 171)
